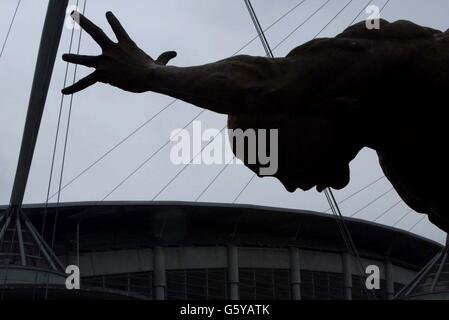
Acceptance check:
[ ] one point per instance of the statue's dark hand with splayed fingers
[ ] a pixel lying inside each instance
(122, 64)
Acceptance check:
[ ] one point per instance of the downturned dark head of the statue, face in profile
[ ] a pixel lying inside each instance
(312, 150)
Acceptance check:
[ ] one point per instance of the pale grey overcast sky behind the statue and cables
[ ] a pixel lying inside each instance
(200, 31)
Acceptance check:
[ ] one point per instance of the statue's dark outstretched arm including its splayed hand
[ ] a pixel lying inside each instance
(230, 86)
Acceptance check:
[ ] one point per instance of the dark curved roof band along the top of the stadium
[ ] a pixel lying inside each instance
(131, 224)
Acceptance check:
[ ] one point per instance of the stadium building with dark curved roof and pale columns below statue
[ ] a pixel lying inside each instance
(174, 250)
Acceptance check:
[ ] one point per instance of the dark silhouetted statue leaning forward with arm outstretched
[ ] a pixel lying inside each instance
(384, 89)
